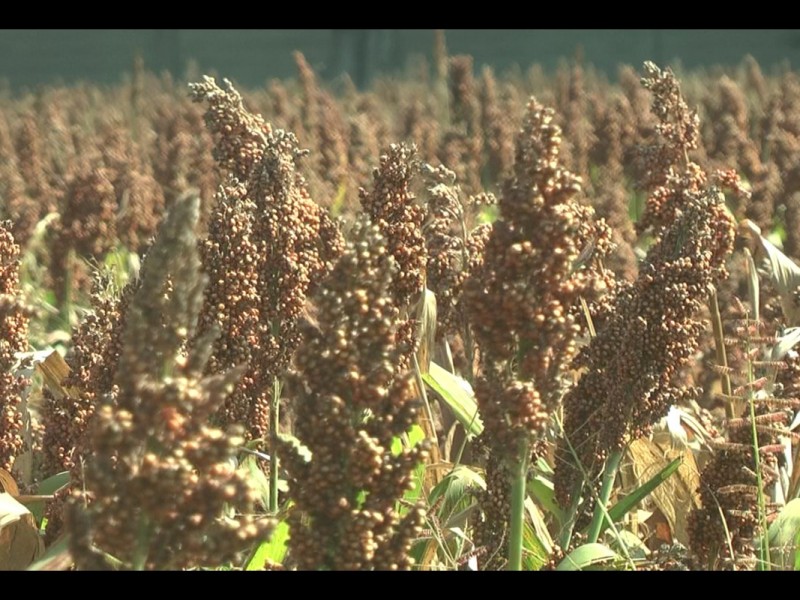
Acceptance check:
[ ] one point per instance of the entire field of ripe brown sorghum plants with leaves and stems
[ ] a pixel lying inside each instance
(459, 321)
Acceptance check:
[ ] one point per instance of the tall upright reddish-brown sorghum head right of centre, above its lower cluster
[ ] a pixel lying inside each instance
(520, 301)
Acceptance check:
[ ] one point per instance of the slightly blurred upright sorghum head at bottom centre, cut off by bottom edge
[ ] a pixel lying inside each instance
(352, 401)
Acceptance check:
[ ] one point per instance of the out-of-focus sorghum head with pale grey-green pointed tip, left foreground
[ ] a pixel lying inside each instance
(160, 476)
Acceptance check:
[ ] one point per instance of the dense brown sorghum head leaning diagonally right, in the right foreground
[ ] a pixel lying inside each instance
(651, 332)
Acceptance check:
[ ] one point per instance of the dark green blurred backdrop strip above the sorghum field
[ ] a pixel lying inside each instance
(252, 56)
